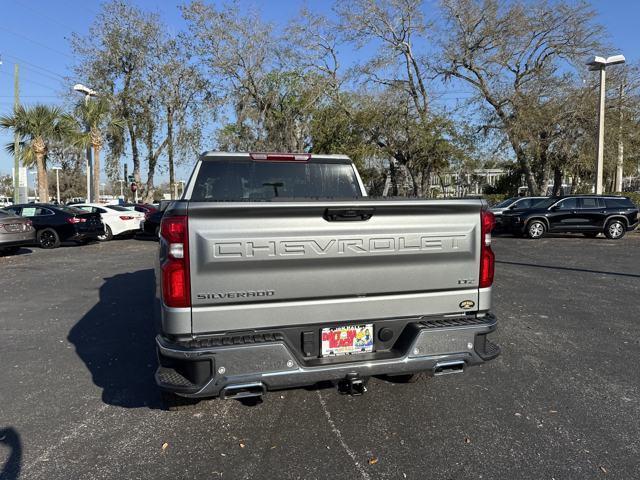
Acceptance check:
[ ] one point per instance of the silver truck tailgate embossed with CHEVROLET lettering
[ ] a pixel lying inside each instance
(256, 265)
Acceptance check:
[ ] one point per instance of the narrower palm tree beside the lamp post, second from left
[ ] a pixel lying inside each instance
(97, 116)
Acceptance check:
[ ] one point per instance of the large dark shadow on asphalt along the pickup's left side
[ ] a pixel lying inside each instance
(115, 340)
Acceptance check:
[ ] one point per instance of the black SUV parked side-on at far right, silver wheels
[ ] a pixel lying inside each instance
(586, 214)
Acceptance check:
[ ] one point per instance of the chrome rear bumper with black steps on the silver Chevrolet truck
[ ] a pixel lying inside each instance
(273, 364)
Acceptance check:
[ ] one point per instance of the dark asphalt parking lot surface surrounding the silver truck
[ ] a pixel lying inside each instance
(77, 398)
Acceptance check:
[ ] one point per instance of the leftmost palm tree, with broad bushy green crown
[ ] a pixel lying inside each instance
(37, 127)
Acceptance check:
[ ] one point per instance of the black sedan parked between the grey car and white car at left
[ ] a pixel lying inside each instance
(55, 224)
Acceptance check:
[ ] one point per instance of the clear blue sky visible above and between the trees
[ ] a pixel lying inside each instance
(34, 33)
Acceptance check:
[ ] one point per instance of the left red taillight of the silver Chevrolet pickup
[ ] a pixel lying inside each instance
(176, 287)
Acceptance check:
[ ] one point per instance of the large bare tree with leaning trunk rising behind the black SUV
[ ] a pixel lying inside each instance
(505, 51)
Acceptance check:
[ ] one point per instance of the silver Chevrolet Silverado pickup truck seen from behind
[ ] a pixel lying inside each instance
(277, 271)
